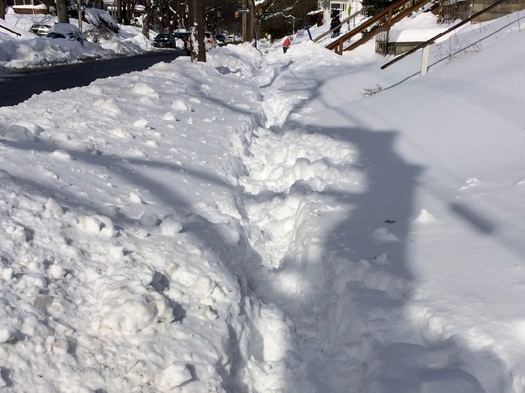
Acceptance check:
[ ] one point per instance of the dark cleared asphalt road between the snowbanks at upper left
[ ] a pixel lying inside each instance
(17, 86)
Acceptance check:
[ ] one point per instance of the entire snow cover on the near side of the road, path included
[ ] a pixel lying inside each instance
(262, 223)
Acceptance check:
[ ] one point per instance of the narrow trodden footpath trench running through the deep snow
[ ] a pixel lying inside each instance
(307, 193)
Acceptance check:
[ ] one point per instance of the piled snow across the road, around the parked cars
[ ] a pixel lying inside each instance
(19, 48)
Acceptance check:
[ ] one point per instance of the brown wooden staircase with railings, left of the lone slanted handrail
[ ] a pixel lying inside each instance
(382, 21)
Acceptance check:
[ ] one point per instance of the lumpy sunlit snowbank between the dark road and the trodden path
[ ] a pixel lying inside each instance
(121, 240)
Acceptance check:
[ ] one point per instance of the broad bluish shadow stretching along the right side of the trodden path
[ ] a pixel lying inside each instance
(353, 328)
